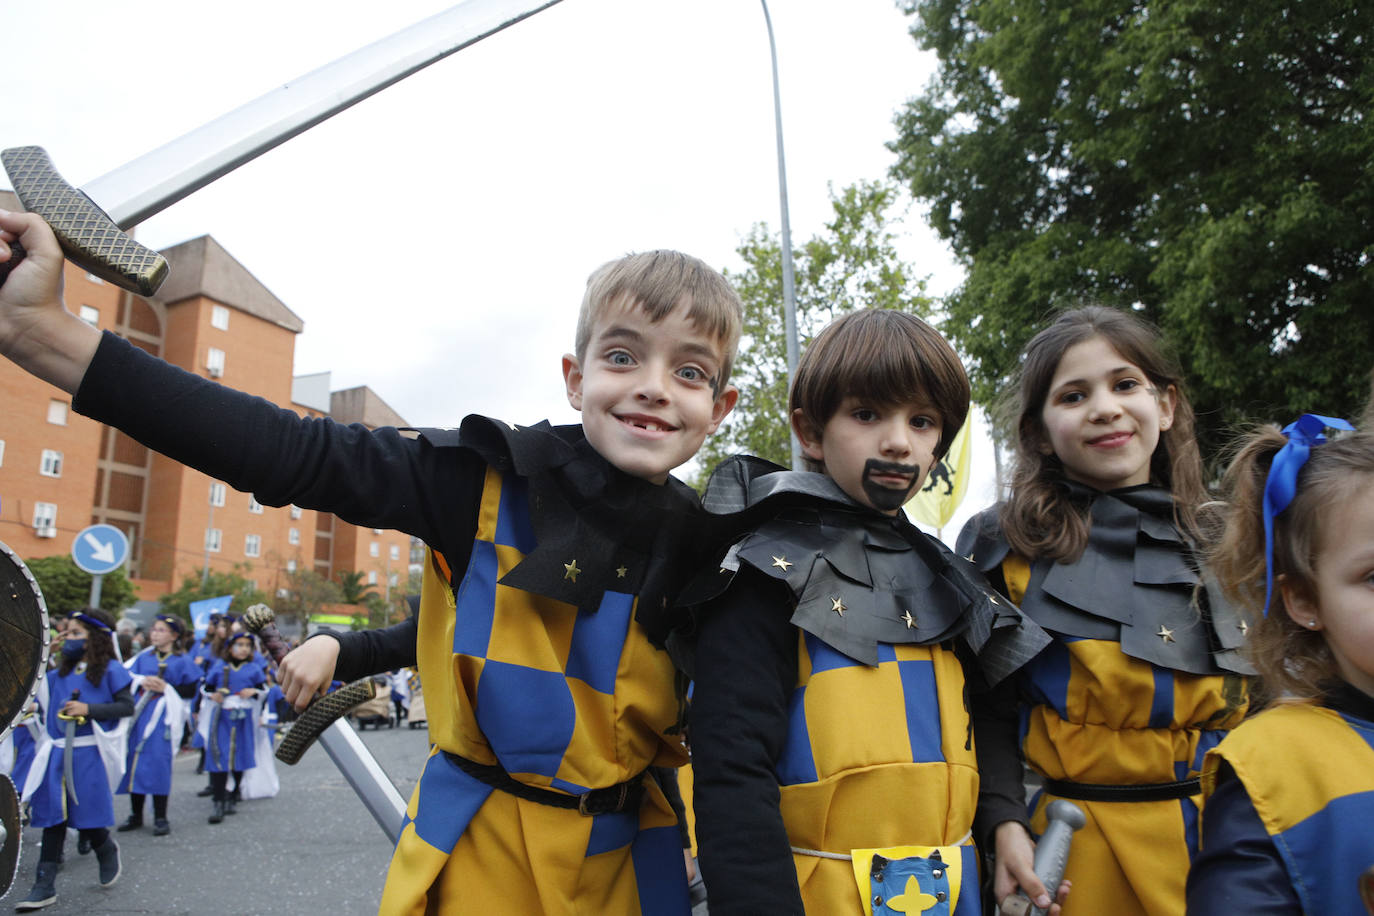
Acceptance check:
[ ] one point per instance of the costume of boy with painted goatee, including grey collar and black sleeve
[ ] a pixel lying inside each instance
(833, 745)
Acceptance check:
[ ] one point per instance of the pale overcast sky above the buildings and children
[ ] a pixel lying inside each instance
(436, 238)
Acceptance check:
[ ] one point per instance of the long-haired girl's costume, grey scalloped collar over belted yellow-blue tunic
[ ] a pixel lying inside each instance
(1144, 678)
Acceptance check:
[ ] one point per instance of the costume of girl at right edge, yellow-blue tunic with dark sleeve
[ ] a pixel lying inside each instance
(1291, 799)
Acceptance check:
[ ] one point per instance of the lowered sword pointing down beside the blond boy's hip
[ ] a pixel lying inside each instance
(348, 752)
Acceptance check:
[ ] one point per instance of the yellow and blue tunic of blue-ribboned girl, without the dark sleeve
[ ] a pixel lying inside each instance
(1310, 775)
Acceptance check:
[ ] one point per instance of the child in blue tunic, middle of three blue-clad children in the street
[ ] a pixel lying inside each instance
(166, 680)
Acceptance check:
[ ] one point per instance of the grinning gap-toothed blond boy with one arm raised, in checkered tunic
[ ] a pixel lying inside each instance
(552, 554)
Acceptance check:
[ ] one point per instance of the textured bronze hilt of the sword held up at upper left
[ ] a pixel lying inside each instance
(89, 237)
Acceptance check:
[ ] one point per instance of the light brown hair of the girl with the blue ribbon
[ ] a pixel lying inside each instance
(1292, 660)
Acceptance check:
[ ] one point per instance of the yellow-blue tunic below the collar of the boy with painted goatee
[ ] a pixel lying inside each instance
(892, 741)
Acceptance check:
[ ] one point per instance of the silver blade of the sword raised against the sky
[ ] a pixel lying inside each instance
(161, 178)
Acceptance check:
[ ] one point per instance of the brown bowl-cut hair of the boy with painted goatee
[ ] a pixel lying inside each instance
(887, 358)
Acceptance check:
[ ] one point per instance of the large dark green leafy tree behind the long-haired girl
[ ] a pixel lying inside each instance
(1206, 164)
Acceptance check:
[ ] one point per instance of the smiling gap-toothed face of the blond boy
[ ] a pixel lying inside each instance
(649, 392)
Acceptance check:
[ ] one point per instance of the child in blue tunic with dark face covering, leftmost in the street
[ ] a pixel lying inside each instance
(69, 786)
